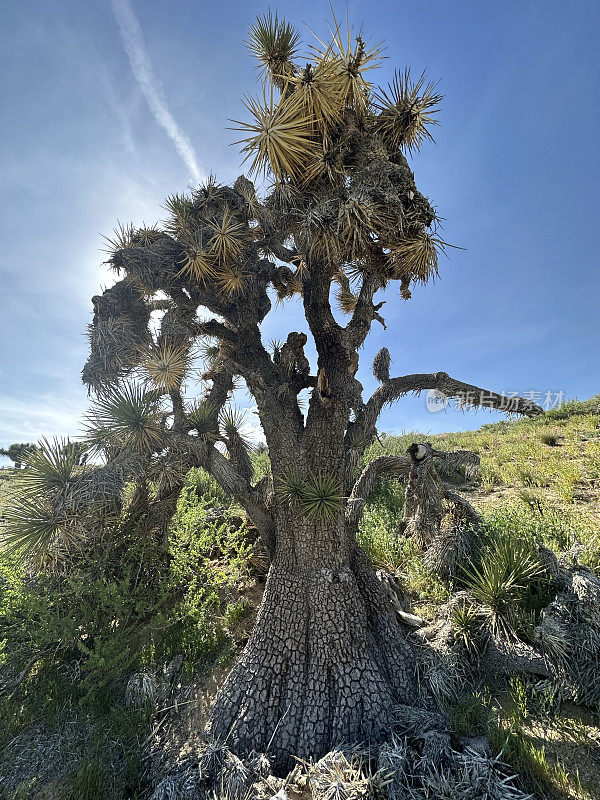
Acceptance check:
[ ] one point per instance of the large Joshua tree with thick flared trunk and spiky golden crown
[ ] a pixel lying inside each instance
(341, 219)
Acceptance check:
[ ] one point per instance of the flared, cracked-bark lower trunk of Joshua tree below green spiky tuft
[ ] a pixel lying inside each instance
(327, 660)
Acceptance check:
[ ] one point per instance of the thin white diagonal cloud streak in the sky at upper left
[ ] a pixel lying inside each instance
(152, 89)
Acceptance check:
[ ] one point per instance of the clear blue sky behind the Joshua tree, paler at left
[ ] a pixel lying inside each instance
(514, 173)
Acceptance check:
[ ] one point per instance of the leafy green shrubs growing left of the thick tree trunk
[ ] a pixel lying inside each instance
(71, 639)
